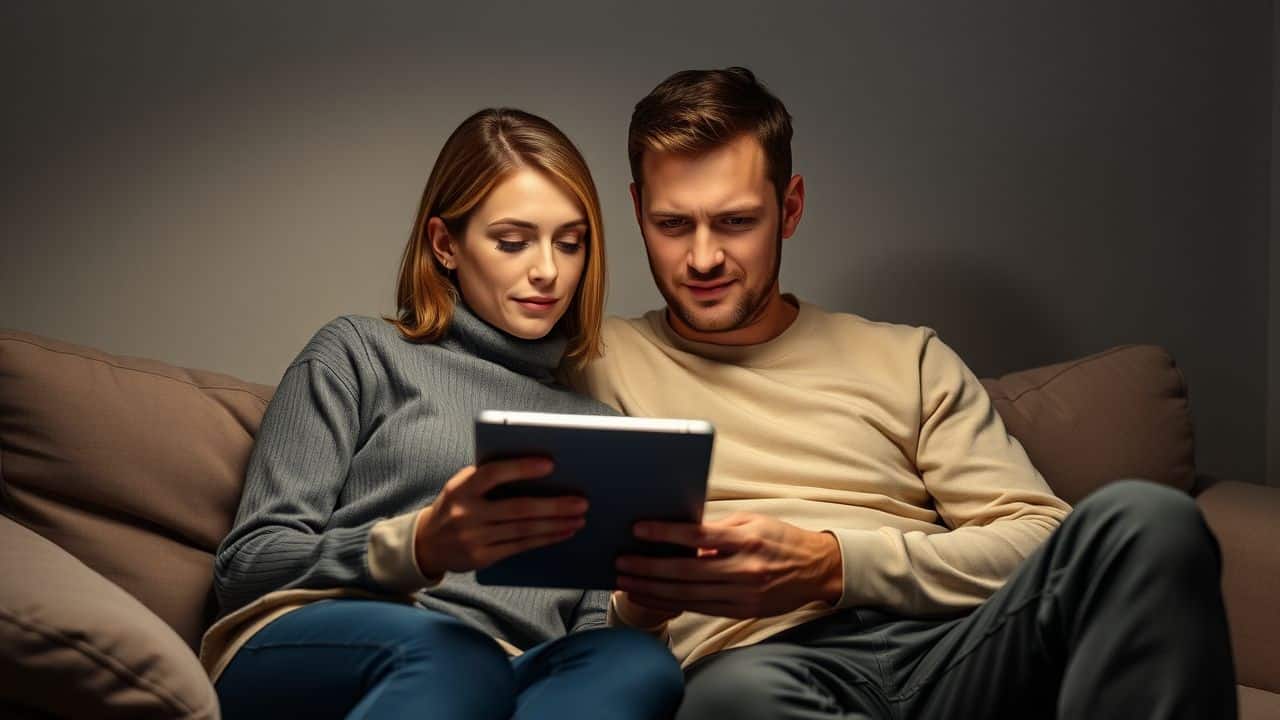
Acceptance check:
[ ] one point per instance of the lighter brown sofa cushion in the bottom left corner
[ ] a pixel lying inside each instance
(79, 646)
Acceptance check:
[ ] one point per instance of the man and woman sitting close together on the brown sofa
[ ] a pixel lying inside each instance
(876, 545)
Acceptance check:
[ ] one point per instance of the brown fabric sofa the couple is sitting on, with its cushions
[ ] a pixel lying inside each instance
(120, 477)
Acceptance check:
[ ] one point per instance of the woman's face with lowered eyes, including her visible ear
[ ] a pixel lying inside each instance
(522, 257)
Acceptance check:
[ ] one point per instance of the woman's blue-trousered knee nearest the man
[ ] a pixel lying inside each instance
(606, 675)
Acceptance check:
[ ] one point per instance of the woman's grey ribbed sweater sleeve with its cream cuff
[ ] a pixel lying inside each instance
(292, 485)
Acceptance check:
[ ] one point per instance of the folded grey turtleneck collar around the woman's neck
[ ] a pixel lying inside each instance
(537, 359)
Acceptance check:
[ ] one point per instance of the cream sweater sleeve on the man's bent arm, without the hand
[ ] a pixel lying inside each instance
(996, 507)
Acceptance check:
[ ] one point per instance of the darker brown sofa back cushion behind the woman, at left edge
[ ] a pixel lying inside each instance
(132, 466)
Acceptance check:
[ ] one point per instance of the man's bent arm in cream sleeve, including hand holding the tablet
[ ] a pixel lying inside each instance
(982, 484)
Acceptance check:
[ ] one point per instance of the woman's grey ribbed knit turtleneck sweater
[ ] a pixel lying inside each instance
(367, 426)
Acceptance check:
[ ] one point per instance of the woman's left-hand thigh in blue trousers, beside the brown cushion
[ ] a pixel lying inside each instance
(368, 659)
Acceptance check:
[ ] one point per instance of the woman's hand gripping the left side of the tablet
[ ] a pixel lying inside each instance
(464, 531)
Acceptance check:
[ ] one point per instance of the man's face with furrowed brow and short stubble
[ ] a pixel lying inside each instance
(714, 231)
